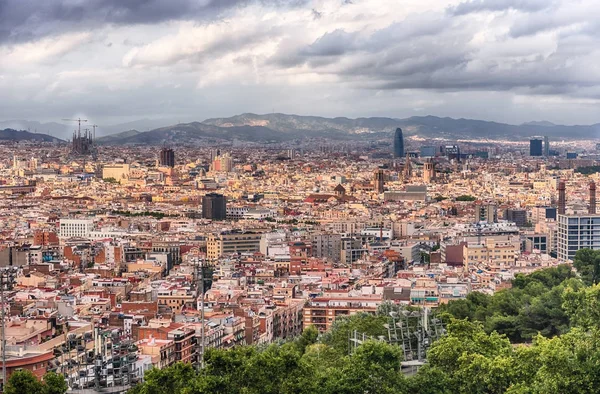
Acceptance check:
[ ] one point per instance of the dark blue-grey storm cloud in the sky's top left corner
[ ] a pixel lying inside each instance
(26, 20)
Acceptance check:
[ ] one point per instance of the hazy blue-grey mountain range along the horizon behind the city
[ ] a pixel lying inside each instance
(281, 127)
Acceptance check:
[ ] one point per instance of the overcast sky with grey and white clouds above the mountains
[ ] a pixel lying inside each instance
(120, 60)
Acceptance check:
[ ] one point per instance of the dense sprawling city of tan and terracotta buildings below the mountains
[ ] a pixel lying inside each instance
(140, 257)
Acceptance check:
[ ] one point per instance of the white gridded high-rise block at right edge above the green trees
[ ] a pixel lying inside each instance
(577, 232)
